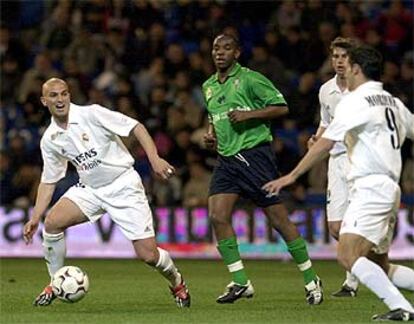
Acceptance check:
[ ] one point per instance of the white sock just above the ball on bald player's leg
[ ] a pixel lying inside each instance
(54, 250)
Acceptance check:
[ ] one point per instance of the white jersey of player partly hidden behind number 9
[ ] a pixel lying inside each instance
(329, 96)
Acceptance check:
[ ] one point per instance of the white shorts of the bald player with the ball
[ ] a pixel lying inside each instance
(124, 200)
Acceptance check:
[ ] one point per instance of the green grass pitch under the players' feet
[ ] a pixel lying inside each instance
(127, 291)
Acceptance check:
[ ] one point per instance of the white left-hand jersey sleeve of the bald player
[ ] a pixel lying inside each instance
(54, 165)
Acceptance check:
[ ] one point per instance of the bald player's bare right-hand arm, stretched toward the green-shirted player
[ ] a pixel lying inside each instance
(161, 167)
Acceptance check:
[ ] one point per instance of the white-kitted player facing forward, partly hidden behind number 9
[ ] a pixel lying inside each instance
(330, 94)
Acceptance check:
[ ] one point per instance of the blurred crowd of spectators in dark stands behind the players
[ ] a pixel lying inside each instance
(148, 59)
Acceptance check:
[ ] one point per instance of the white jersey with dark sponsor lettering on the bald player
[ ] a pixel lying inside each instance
(91, 143)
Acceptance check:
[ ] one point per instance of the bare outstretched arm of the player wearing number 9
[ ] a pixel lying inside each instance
(317, 152)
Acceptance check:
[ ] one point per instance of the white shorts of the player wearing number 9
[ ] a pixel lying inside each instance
(372, 212)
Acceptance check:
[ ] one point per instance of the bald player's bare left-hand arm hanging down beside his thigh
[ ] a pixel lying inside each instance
(44, 196)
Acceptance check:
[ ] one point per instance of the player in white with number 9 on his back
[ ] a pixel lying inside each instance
(373, 124)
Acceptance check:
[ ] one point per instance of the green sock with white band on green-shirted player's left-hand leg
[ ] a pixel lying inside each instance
(229, 251)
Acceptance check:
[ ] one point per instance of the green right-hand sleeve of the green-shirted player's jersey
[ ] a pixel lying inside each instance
(264, 91)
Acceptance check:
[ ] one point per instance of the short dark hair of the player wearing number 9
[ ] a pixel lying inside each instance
(368, 58)
